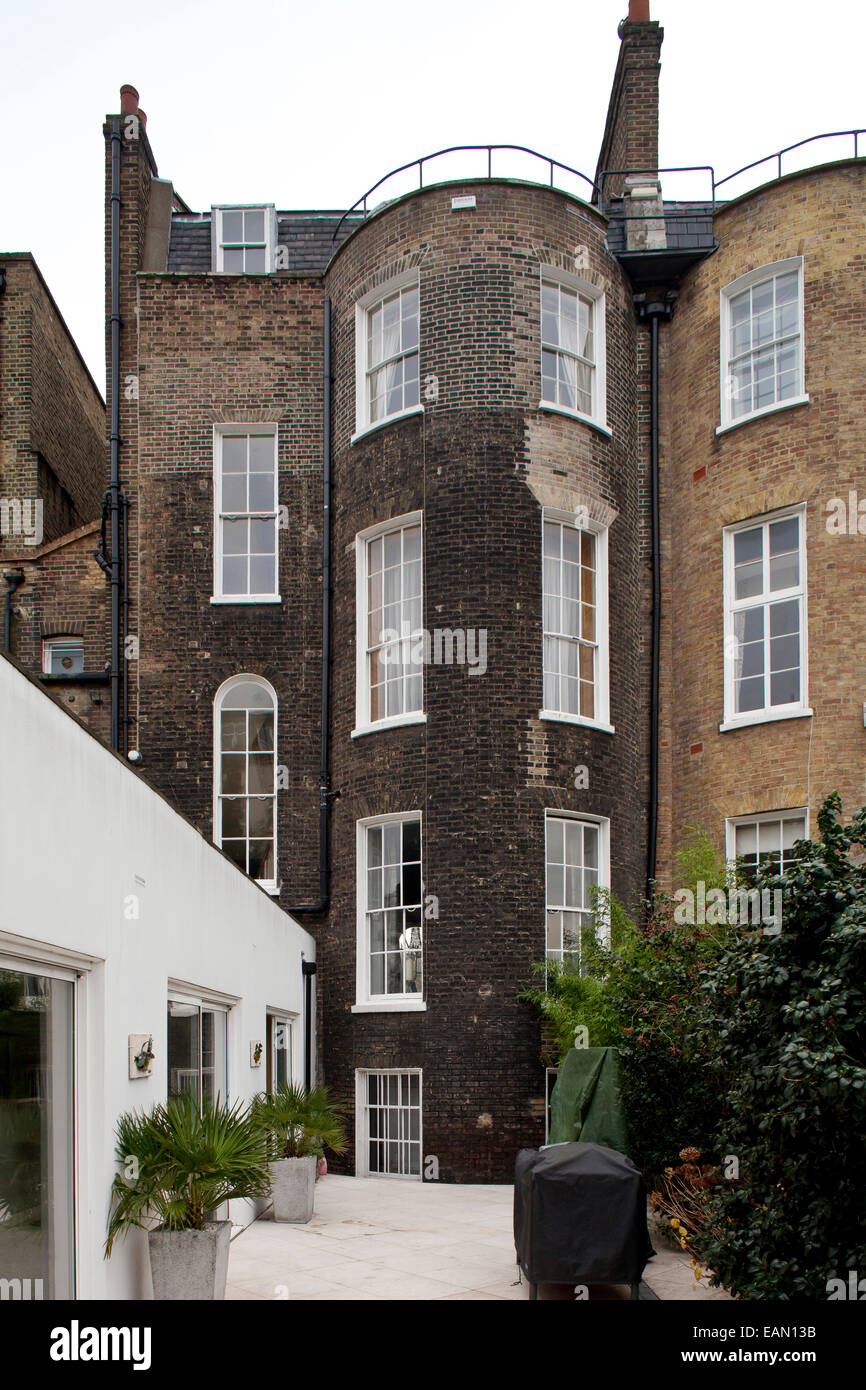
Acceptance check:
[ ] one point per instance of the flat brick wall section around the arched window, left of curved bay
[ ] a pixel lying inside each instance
(244, 350)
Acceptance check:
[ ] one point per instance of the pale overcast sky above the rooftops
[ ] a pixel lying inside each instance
(309, 105)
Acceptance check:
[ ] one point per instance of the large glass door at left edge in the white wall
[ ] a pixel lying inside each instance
(37, 1135)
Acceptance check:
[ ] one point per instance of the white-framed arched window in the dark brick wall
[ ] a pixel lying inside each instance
(245, 776)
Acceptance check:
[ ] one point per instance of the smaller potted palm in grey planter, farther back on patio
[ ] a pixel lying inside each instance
(298, 1124)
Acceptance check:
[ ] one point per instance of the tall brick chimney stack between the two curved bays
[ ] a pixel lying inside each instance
(632, 131)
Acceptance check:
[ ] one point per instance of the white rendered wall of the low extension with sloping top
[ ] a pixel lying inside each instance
(79, 832)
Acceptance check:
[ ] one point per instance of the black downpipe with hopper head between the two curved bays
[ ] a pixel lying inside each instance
(654, 312)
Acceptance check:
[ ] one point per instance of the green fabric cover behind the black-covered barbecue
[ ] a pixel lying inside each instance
(586, 1102)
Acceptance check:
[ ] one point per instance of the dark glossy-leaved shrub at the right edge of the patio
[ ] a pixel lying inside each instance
(792, 1027)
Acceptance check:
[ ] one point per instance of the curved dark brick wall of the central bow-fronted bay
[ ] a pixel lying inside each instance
(483, 769)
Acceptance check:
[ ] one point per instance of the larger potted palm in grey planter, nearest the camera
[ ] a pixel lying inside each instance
(179, 1164)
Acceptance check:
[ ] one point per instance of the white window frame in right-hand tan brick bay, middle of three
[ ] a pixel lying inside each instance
(769, 714)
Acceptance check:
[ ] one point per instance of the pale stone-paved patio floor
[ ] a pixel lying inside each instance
(386, 1239)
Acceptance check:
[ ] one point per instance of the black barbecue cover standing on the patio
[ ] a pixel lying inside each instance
(580, 1216)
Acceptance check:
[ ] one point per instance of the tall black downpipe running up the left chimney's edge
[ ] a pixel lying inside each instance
(115, 489)
